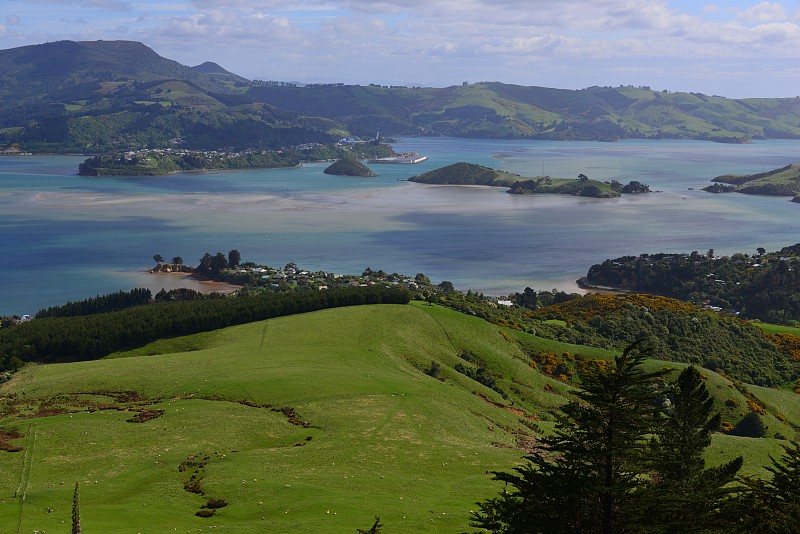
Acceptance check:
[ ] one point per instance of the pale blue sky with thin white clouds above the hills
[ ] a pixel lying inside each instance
(732, 48)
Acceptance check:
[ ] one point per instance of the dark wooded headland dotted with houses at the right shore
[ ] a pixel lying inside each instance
(764, 286)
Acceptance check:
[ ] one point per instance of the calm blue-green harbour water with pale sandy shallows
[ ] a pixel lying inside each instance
(66, 237)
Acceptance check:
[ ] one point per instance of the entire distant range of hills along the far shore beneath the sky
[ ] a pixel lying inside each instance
(96, 96)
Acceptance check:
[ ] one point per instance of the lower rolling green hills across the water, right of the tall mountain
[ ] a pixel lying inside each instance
(497, 110)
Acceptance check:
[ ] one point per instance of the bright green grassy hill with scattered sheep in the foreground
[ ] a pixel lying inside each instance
(313, 423)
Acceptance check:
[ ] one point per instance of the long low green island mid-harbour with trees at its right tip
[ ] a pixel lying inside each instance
(472, 174)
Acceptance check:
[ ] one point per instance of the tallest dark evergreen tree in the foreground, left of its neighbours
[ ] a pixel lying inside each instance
(583, 478)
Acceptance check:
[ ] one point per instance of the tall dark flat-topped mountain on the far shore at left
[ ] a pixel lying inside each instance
(95, 96)
